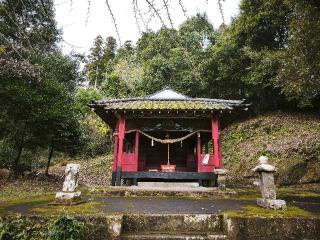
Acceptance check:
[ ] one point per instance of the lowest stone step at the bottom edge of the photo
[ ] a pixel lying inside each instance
(176, 236)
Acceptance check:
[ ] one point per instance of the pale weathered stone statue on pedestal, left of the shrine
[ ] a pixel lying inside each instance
(70, 185)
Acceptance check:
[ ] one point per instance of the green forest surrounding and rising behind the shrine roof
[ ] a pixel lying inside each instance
(269, 55)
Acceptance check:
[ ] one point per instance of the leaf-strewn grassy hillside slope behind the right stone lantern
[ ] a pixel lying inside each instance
(291, 141)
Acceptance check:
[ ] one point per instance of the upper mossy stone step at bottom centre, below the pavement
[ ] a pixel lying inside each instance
(189, 223)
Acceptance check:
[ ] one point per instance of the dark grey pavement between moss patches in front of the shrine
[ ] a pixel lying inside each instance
(160, 205)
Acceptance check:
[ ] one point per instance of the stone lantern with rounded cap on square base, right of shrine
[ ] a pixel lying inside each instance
(267, 186)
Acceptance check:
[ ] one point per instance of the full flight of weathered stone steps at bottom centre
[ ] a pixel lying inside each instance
(173, 227)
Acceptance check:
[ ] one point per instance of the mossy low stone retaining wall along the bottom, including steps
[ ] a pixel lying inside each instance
(123, 225)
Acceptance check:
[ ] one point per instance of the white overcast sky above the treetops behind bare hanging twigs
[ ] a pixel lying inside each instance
(81, 26)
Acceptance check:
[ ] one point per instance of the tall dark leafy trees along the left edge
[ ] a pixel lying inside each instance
(37, 83)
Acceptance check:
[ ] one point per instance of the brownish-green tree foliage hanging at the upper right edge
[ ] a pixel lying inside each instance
(299, 75)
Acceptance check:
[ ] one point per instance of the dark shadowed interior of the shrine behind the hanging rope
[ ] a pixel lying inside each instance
(183, 154)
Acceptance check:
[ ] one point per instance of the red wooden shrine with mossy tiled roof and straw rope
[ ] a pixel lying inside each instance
(167, 136)
